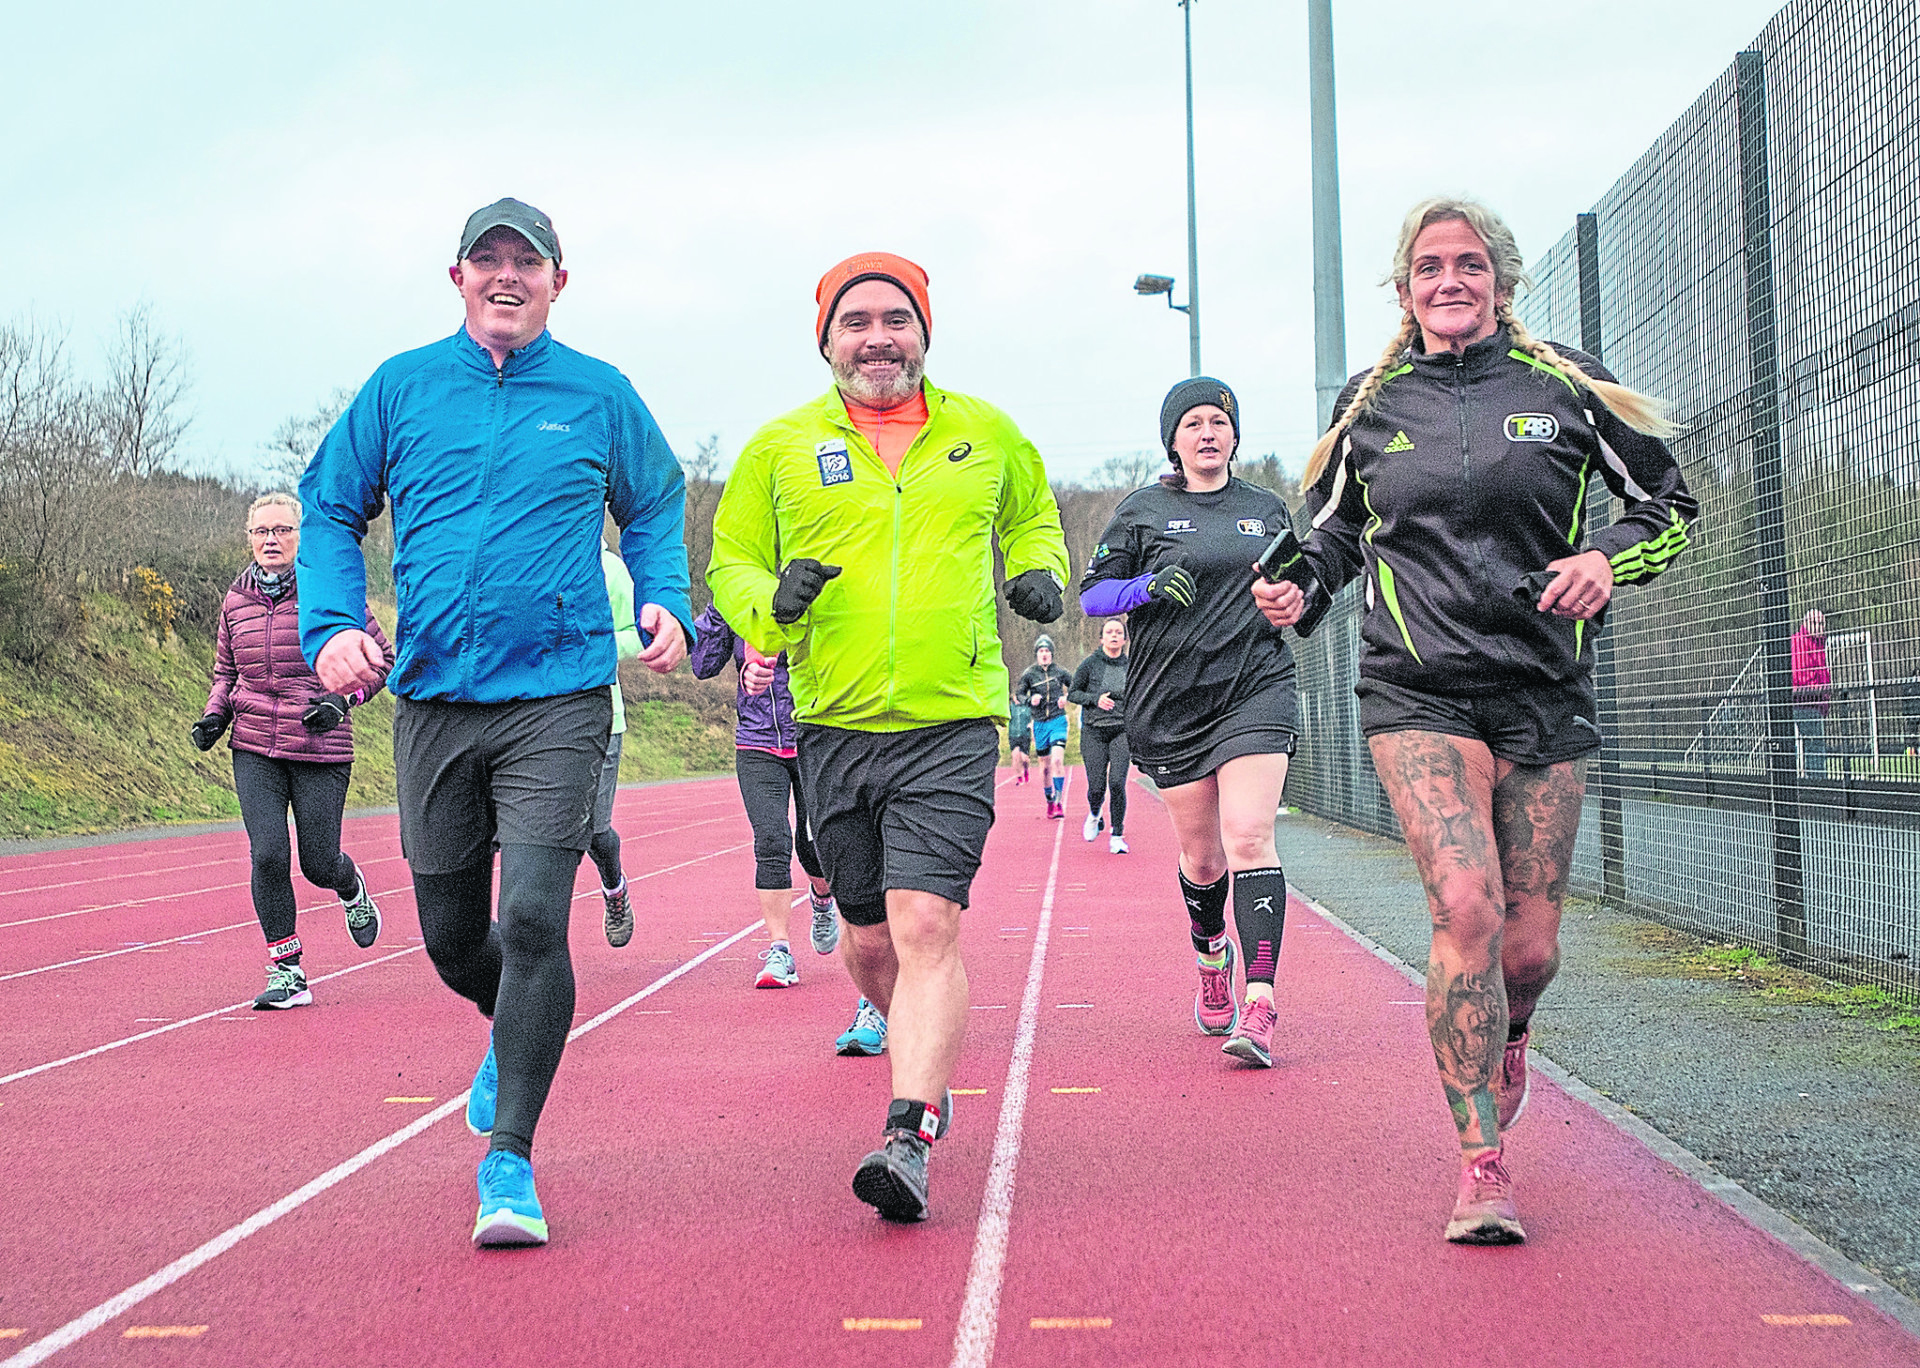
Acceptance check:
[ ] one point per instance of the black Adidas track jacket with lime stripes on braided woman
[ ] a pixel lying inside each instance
(1468, 474)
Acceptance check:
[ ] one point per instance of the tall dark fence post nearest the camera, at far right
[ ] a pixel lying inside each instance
(1769, 506)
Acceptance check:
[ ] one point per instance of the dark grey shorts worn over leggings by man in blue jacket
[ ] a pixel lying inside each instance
(475, 775)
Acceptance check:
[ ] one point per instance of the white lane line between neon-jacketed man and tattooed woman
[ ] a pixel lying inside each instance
(980, 1311)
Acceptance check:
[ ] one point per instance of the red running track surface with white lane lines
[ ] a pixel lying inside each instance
(297, 1188)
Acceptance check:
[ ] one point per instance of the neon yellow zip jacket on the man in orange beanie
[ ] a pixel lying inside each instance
(907, 635)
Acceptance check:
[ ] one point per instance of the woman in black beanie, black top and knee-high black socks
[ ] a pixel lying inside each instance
(1211, 695)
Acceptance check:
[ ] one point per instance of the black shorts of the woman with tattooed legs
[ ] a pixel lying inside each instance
(1545, 725)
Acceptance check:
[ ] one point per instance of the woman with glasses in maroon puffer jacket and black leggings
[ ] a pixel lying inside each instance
(293, 746)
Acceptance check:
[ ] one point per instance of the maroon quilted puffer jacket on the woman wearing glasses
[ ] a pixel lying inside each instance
(264, 683)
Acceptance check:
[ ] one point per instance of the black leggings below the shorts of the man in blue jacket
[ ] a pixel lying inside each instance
(516, 971)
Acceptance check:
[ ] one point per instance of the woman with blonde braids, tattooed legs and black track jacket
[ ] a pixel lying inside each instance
(1472, 447)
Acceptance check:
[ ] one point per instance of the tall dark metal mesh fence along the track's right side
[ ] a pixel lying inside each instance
(1760, 268)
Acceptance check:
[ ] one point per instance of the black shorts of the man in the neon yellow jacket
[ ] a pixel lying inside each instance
(900, 810)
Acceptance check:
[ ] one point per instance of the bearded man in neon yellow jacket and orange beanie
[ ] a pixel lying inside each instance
(857, 535)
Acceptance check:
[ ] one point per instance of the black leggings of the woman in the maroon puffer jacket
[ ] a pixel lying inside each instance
(318, 793)
